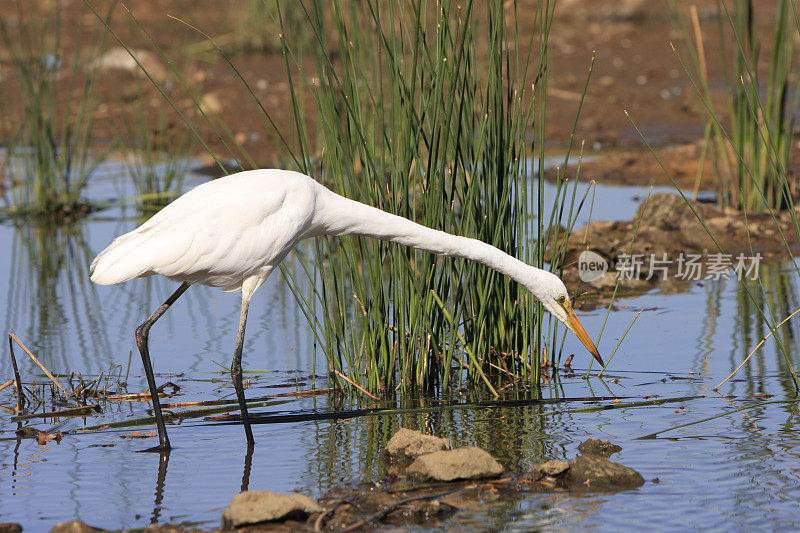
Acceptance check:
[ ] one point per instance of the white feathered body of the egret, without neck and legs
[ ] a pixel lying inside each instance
(219, 233)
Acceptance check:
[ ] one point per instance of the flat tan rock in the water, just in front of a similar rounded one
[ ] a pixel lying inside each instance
(449, 465)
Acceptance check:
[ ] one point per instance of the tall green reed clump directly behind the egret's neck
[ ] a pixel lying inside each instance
(423, 111)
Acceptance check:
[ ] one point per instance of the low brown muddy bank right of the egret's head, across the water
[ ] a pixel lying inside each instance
(665, 245)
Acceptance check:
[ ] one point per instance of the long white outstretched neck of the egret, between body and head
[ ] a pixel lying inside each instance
(337, 215)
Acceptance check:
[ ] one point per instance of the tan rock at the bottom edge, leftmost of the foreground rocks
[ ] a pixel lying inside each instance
(252, 507)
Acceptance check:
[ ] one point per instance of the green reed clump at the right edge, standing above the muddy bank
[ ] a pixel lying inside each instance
(751, 154)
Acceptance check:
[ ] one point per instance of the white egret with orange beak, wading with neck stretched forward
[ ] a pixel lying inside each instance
(232, 232)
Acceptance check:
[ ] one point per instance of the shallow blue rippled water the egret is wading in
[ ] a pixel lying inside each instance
(736, 472)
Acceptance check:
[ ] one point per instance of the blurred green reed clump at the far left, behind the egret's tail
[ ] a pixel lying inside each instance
(49, 148)
